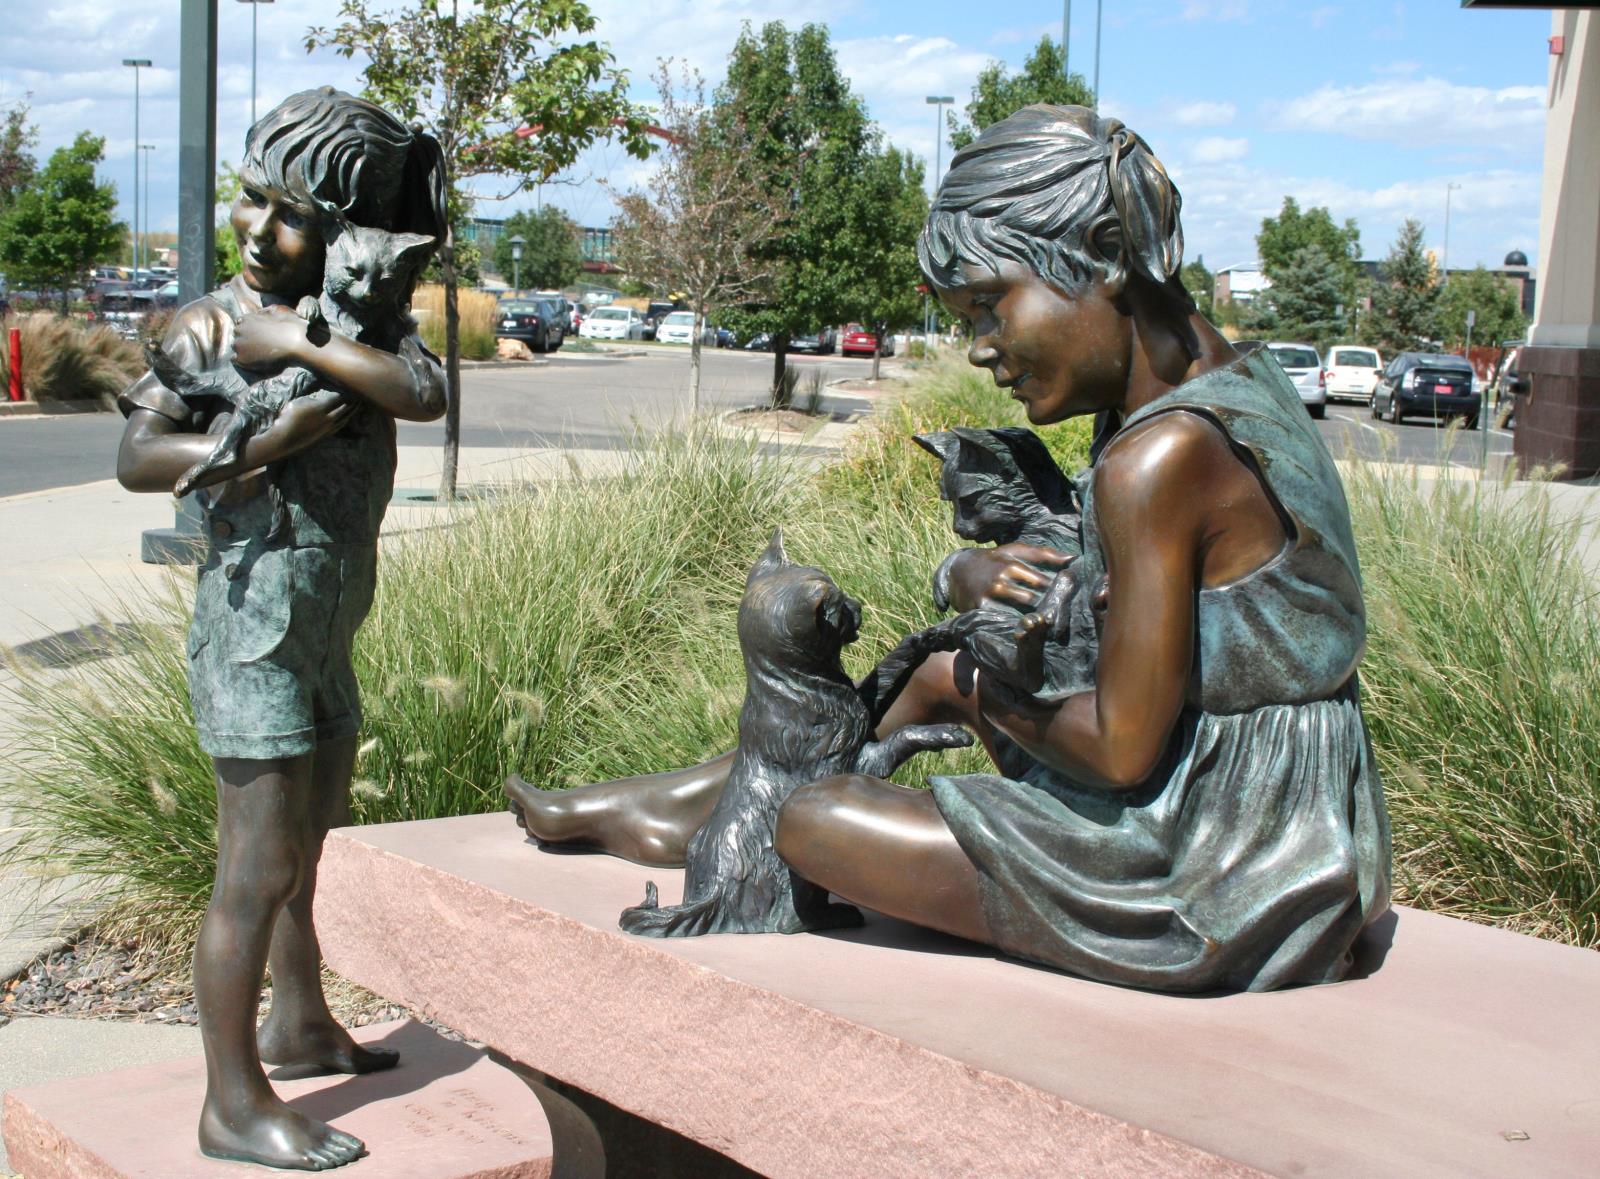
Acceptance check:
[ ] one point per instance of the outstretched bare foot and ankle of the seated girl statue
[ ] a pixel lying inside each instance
(647, 820)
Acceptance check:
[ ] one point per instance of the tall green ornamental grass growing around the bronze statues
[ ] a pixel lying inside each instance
(583, 628)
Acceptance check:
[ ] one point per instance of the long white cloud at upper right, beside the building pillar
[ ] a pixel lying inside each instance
(1420, 113)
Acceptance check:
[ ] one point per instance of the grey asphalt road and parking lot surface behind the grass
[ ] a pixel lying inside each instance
(596, 402)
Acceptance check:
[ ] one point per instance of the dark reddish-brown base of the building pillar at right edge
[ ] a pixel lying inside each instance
(1559, 417)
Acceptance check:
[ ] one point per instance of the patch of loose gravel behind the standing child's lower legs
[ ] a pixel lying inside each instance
(105, 980)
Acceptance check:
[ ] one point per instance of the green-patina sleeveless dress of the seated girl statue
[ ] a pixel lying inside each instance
(1258, 850)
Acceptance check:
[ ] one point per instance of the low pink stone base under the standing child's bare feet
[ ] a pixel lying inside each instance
(447, 1113)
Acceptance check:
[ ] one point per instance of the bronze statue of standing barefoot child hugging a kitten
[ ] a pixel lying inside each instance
(292, 518)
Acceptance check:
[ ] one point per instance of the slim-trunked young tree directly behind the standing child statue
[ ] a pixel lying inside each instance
(505, 94)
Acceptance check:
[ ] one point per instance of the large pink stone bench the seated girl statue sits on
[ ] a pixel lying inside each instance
(894, 1052)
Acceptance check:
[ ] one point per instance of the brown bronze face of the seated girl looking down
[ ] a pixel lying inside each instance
(1062, 356)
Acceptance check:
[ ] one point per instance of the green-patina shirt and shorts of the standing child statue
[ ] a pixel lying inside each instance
(278, 609)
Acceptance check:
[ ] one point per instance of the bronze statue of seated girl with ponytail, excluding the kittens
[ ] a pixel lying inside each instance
(1204, 812)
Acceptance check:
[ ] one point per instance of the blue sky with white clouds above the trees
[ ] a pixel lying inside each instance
(1370, 108)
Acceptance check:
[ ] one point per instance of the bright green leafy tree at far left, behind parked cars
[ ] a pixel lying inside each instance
(62, 225)
